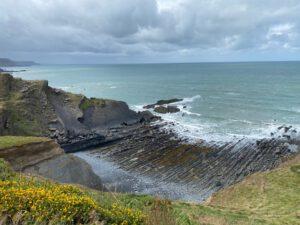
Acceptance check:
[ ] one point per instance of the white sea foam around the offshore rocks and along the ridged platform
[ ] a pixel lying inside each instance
(194, 127)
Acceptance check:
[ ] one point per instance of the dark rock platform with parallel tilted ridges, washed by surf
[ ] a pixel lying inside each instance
(205, 167)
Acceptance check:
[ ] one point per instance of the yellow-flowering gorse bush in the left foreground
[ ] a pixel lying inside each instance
(44, 201)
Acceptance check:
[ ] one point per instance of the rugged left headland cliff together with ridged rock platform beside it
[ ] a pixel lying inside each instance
(136, 142)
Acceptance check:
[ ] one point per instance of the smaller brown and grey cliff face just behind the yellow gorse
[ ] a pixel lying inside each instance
(47, 159)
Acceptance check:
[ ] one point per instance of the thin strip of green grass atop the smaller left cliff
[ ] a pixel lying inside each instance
(13, 141)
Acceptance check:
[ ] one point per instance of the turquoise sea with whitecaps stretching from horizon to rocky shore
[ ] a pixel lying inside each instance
(223, 100)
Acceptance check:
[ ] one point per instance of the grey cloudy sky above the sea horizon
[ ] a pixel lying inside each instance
(136, 31)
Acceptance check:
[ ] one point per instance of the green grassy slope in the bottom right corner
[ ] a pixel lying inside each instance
(273, 196)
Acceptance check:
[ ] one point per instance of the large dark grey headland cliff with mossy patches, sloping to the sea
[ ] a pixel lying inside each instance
(33, 108)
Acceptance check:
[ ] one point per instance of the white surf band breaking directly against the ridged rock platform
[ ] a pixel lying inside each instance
(194, 131)
